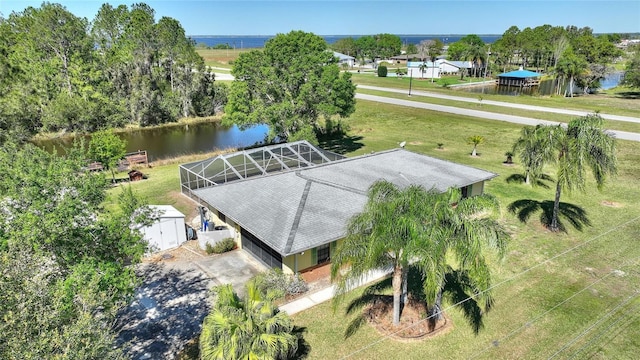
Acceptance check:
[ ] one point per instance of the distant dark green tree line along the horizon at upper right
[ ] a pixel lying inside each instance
(574, 55)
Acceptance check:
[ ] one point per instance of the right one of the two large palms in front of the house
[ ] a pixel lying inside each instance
(458, 229)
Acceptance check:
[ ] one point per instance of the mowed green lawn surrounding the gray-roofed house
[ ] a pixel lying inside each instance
(567, 295)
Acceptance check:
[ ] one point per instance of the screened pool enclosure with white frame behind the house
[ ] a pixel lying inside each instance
(252, 162)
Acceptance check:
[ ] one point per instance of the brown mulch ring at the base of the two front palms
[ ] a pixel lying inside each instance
(413, 323)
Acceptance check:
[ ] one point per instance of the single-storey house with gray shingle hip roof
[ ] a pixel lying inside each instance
(293, 219)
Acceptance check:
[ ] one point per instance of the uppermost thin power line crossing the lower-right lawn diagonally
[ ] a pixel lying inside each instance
(494, 286)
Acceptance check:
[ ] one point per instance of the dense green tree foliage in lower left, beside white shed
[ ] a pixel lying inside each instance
(64, 262)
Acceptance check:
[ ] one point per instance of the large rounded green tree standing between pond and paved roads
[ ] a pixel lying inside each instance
(288, 86)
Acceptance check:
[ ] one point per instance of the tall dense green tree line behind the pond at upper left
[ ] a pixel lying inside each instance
(60, 72)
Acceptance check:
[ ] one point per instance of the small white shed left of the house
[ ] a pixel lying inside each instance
(168, 231)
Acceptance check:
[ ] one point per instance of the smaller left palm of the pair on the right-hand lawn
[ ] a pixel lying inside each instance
(534, 151)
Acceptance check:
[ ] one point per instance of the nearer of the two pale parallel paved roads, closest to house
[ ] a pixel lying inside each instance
(481, 114)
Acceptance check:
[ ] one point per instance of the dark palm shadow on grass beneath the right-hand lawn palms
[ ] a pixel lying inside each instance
(574, 214)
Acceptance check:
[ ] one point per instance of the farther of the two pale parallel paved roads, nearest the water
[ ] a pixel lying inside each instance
(501, 103)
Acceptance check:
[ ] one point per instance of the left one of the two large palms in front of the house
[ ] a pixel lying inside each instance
(385, 235)
